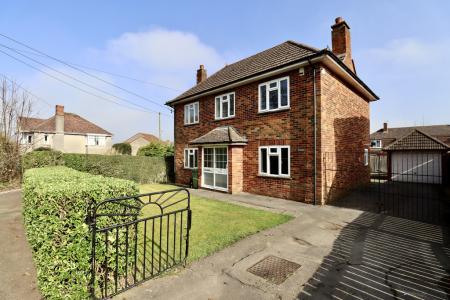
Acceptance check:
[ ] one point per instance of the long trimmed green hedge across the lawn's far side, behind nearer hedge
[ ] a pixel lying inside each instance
(140, 169)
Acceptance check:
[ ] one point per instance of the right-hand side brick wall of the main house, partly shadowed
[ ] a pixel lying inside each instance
(345, 133)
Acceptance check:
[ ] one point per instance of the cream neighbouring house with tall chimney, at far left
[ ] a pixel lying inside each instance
(66, 132)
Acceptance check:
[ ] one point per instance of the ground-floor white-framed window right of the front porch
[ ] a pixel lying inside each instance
(275, 161)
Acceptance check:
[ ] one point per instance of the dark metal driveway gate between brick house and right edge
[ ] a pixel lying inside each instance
(413, 187)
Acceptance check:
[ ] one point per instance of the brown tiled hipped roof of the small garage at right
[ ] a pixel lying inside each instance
(417, 140)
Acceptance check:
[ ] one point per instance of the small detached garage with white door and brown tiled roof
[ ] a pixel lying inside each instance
(416, 158)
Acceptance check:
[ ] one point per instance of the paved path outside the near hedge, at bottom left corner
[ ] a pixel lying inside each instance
(17, 272)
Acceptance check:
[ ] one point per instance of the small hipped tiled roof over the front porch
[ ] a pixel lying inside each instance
(220, 135)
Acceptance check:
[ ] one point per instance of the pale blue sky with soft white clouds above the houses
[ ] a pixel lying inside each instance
(400, 49)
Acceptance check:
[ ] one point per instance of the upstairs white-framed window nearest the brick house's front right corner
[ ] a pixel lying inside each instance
(274, 95)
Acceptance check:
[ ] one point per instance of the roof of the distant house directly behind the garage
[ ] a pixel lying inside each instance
(440, 132)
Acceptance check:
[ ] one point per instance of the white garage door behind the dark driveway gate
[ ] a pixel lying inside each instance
(425, 167)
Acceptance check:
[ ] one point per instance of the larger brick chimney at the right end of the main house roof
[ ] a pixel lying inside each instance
(341, 42)
